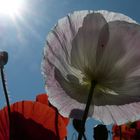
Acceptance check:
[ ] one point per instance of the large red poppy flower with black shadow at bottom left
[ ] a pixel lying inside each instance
(33, 120)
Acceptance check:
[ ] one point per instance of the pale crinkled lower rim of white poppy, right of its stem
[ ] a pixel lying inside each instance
(112, 114)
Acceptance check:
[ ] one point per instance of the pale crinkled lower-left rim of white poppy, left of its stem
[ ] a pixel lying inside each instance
(57, 96)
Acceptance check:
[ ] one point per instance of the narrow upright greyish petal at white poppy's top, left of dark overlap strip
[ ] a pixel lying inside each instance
(83, 53)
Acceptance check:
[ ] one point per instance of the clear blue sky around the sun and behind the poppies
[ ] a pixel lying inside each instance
(24, 39)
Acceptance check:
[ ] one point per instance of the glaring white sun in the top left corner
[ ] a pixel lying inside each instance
(10, 7)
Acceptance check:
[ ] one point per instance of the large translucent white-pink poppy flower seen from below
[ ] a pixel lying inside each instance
(101, 46)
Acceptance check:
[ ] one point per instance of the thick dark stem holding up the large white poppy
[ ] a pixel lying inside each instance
(93, 84)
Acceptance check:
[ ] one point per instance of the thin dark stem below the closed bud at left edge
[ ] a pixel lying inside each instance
(7, 100)
